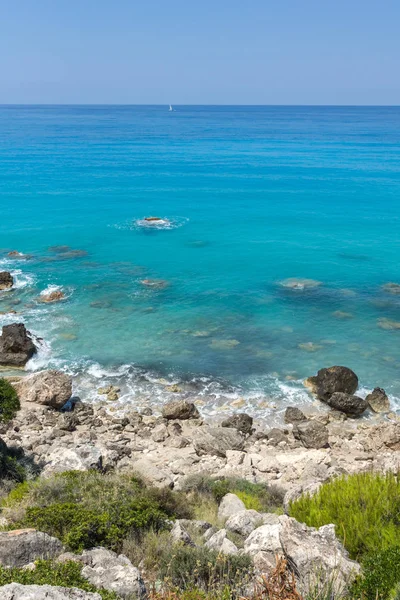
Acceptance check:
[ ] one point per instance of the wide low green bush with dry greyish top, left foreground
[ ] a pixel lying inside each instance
(86, 509)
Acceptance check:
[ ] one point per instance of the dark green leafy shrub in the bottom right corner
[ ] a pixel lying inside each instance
(380, 578)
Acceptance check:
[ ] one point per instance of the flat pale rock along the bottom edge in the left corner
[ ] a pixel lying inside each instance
(17, 591)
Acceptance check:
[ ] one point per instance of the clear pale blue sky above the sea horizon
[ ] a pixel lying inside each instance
(200, 51)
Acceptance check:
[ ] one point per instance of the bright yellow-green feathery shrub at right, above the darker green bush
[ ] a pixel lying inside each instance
(364, 507)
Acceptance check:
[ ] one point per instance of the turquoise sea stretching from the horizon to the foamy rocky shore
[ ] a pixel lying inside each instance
(255, 195)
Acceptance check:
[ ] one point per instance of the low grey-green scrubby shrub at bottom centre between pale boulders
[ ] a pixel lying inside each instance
(187, 567)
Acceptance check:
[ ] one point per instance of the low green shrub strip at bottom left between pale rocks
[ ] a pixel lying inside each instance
(47, 572)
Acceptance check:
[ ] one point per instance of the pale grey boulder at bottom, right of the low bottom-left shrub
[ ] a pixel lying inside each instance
(113, 572)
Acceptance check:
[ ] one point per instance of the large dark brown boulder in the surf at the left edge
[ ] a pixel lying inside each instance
(16, 346)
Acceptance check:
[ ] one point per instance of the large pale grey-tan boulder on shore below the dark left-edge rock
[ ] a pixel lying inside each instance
(49, 388)
